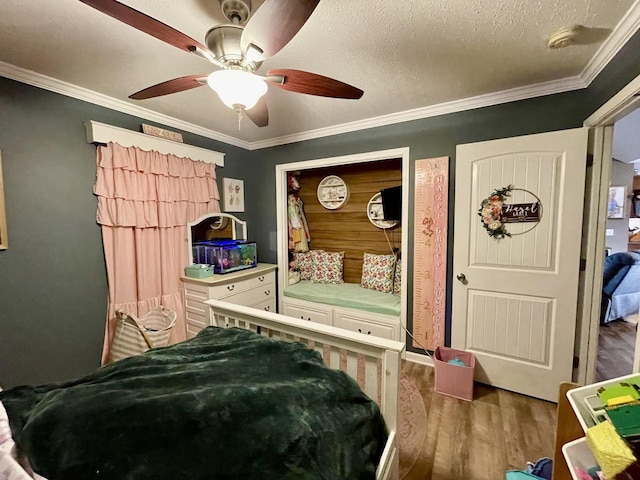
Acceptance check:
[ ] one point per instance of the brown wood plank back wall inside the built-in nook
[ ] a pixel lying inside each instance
(348, 229)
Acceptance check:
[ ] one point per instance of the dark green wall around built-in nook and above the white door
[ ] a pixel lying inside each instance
(438, 136)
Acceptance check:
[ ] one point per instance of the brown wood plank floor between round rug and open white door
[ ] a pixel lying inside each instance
(480, 440)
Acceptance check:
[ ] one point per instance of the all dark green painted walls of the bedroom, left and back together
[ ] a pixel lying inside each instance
(52, 278)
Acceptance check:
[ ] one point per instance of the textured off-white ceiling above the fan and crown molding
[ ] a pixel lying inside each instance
(404, 54)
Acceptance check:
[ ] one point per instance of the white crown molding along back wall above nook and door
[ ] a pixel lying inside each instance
(486, 100)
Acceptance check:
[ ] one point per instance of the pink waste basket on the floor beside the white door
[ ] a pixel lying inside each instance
(454, 380)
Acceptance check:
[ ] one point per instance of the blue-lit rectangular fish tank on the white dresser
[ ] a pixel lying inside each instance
(225, 255)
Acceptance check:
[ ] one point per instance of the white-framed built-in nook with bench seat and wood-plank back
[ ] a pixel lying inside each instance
(347, 229)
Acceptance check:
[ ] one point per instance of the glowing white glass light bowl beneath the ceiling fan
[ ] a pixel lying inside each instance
(237, 87)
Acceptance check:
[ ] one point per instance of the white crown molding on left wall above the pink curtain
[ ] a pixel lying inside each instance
(53, 85)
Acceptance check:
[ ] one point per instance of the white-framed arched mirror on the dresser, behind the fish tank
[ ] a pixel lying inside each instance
(217, 226)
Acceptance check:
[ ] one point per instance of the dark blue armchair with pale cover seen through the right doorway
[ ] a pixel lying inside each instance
(621, 286)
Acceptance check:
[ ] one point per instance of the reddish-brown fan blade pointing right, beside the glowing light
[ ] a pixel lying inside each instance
(312, 84)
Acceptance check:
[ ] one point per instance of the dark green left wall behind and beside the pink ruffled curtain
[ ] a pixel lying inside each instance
(53, 287)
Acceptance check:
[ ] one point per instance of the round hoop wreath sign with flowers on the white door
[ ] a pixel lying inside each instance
(492, 214)
